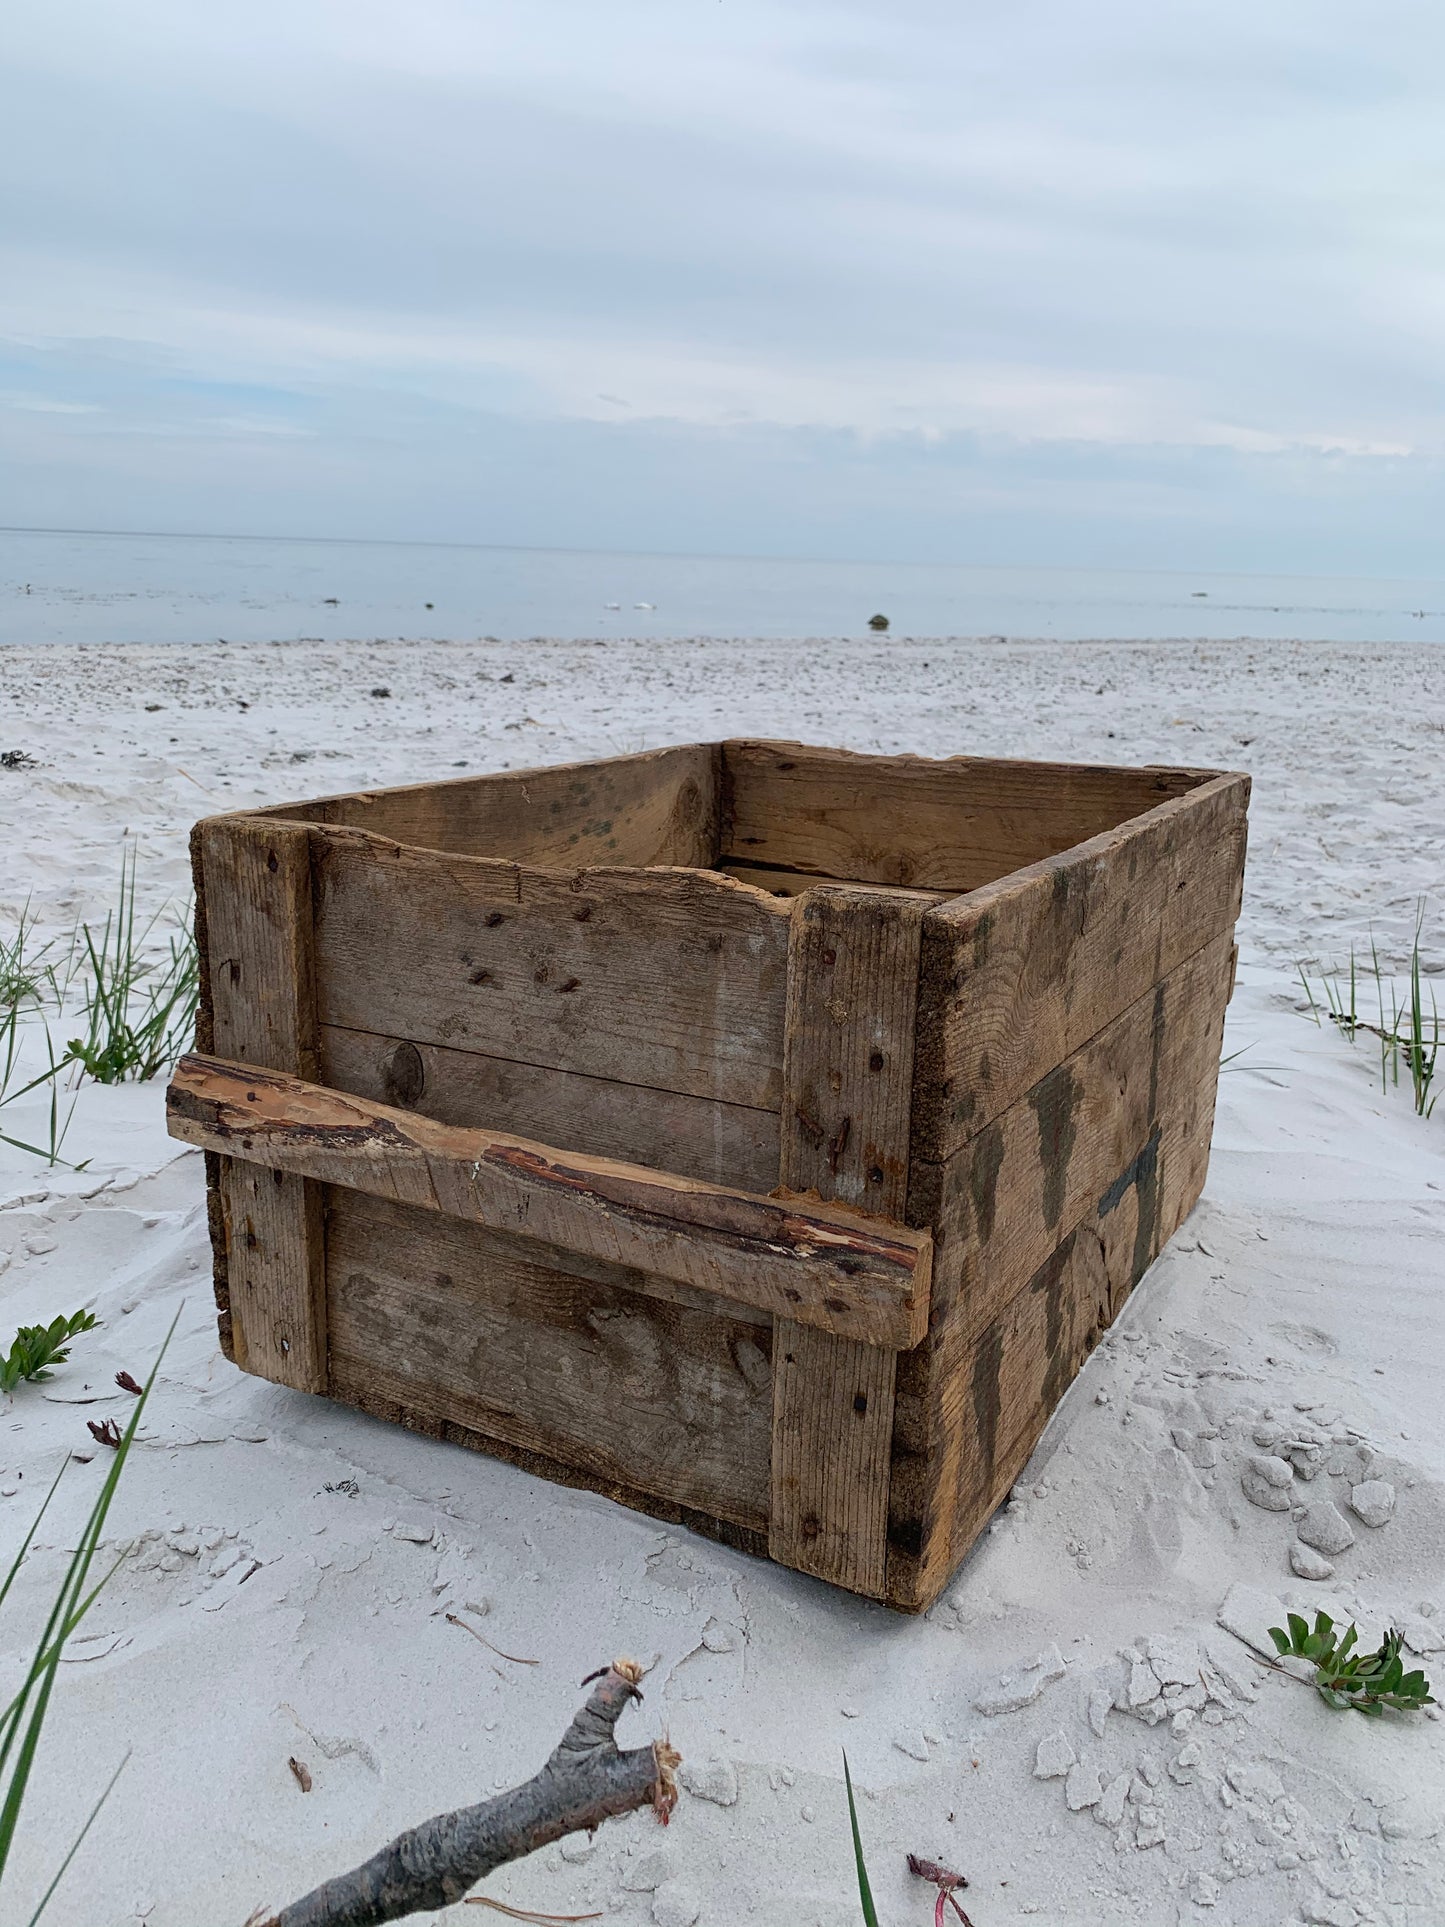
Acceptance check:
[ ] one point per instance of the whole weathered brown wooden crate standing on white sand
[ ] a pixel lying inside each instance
(756, 1134)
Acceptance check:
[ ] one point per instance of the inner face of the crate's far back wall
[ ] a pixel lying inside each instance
(949, 826)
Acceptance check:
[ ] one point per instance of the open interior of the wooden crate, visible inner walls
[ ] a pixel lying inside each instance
(775, 816)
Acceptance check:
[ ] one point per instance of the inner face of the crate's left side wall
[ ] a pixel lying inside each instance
(631, 810)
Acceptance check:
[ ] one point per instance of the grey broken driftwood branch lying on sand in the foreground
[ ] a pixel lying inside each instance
(585, 1783)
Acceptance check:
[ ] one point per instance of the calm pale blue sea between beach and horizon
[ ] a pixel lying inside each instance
(93, 587)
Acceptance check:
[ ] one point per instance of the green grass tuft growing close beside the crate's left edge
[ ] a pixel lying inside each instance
(140, 1013)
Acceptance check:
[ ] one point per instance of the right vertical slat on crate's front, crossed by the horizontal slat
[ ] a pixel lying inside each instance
(853, 997)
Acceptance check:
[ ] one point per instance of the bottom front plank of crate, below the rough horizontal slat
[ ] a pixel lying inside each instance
(456, 1325)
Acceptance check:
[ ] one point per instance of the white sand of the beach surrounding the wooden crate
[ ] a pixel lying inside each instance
(1305, 1296)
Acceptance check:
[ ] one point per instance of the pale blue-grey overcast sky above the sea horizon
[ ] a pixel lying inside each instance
(945, 280)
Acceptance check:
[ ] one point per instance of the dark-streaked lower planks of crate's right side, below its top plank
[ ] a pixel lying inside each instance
(1111, 1149)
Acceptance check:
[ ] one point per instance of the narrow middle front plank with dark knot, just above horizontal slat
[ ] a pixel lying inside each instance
(693, 1136)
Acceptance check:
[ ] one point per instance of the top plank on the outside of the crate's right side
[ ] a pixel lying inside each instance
(1020, 974)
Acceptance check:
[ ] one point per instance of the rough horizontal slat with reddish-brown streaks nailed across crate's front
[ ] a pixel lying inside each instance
(820, 1265)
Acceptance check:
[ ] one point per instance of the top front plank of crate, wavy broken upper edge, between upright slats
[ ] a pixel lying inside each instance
(670, 978)
